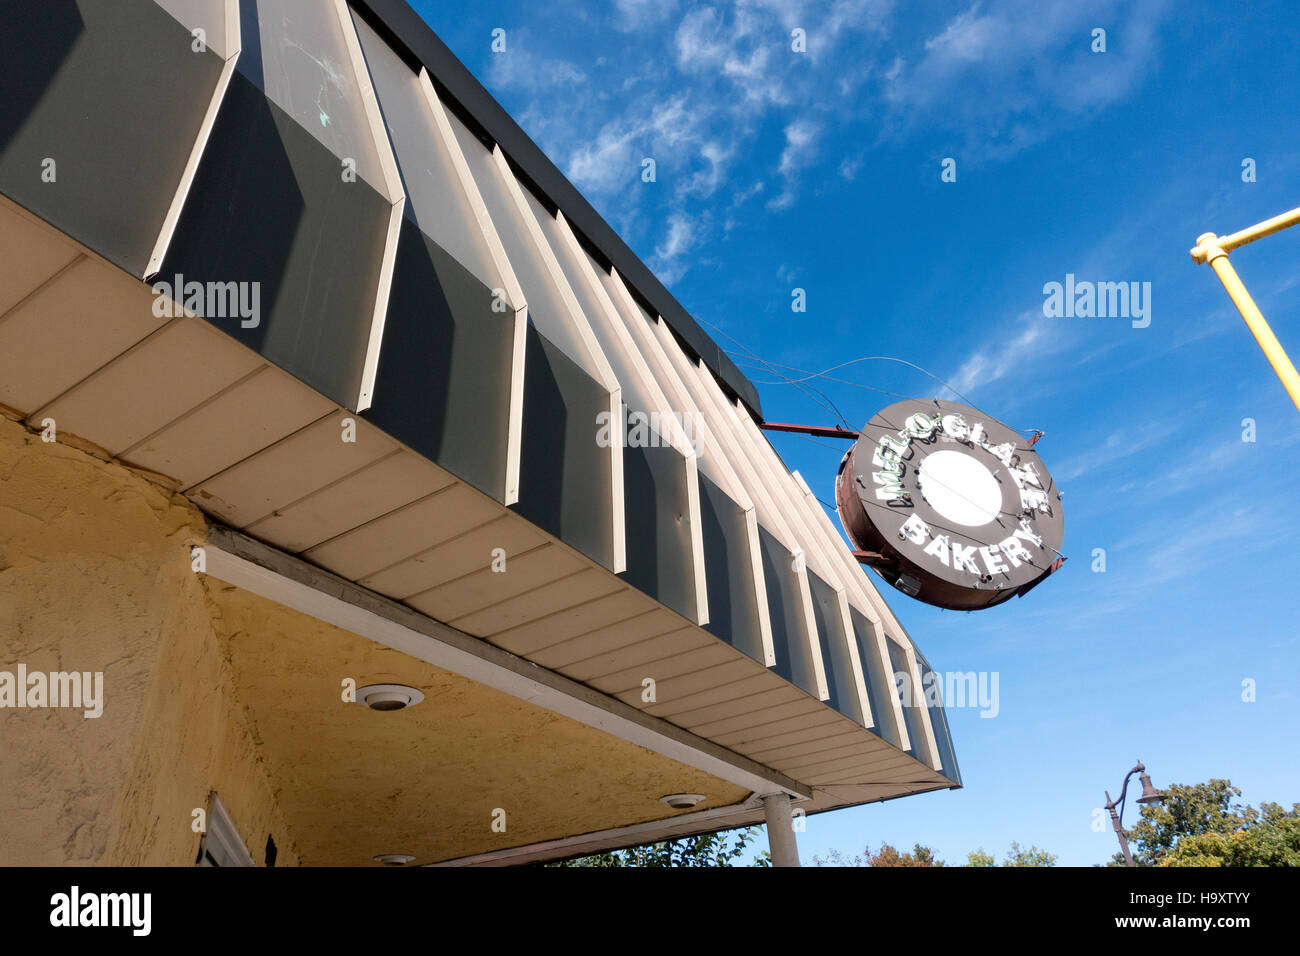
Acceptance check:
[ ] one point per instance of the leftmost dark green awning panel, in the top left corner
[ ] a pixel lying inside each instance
(115, 96)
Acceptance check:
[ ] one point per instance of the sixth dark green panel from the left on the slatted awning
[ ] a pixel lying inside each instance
(729, 572)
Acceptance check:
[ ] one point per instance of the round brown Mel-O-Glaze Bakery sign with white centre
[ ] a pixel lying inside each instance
(950, 507)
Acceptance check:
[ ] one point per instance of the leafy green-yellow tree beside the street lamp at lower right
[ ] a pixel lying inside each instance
(1203, 825)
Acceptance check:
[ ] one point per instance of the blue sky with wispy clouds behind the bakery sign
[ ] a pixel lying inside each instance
(821, 171)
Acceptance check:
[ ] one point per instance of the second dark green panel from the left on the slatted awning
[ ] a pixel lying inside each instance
(270, 206)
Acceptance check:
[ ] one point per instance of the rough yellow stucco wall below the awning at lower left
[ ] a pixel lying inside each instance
(96, 577)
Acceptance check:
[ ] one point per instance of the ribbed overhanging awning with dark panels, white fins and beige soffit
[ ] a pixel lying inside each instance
(284, 271)
